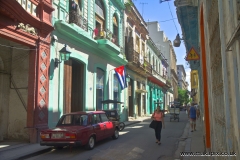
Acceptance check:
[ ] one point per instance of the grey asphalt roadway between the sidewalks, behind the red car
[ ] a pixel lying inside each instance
(136, 142)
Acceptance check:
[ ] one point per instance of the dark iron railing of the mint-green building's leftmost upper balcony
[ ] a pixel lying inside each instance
(77, 19)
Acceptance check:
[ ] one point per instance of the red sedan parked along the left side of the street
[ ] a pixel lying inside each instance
(78, 129)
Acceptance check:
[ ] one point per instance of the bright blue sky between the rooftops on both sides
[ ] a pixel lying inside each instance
(153, 10)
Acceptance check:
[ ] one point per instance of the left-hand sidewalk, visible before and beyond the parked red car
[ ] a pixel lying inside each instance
(16, 150)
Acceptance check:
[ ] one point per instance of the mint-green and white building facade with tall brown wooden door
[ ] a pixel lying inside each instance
(93, 32)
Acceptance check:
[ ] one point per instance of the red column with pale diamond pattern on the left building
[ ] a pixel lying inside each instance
(38, 84)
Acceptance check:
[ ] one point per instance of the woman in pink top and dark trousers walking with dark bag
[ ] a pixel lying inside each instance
(158, 117)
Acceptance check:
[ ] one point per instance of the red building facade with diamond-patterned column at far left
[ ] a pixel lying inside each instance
(24, 63)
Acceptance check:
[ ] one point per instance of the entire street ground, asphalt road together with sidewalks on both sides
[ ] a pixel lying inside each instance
(136, 141)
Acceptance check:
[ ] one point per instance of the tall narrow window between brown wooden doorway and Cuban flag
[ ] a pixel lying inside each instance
(99, 89)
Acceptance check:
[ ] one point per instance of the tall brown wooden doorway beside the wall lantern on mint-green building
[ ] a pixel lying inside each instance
(73, 86)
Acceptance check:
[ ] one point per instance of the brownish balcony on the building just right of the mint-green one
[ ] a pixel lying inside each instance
(138, 63)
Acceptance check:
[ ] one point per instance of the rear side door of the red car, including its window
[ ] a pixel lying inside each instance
(98, 126)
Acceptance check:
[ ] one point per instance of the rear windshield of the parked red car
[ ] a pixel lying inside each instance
(77, 119)
